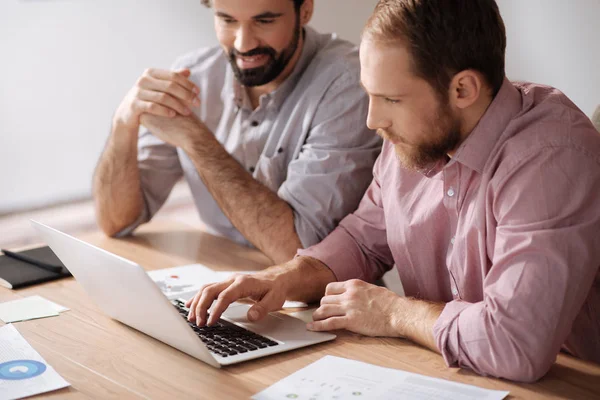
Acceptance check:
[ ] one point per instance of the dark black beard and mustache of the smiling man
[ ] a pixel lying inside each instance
(273, 67)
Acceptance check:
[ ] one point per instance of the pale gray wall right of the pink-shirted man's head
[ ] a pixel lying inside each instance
(555, 42)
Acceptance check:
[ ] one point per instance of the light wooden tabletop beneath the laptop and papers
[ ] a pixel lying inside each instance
(103, 358)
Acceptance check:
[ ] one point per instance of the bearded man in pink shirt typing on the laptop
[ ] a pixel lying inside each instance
(484, 198)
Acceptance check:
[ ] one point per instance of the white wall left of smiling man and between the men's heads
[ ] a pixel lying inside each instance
(66, 64)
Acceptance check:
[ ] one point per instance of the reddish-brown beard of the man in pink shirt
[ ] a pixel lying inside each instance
(424, 155)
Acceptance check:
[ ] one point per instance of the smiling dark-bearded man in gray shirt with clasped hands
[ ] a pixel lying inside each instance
(267, 129)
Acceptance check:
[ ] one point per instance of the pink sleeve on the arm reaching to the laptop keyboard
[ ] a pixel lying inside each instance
(358, 247)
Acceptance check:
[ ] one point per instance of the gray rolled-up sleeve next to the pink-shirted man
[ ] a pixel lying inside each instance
(334, 167)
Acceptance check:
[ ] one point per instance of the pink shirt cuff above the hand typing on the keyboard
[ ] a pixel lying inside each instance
(339, 254)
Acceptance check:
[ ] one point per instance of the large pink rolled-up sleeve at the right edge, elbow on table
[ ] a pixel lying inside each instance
(545, 257)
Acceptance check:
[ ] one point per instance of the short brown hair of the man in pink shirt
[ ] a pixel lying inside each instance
(445, 37)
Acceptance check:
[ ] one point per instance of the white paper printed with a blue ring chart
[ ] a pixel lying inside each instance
(23, 372)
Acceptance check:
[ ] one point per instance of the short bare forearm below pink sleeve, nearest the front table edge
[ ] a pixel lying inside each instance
(415, 321)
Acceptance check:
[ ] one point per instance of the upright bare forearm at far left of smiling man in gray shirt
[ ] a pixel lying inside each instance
(117, 191)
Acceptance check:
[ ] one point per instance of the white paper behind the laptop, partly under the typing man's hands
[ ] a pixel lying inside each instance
(185, 281)
